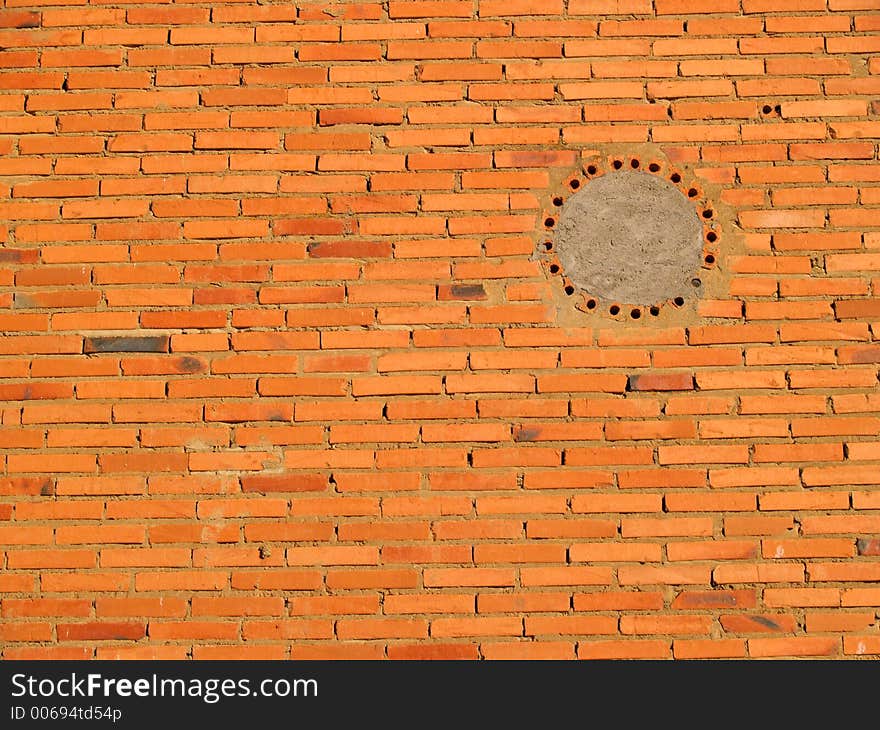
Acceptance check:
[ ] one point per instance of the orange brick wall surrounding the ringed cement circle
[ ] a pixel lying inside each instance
(283, 375)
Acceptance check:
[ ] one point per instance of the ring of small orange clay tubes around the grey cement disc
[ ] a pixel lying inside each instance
(711, 233)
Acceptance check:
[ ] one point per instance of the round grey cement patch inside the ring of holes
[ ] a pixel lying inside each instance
(630, 237)
